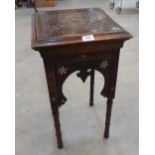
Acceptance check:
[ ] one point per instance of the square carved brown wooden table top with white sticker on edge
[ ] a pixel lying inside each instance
(65, 27)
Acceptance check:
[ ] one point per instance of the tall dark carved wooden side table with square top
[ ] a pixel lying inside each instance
(81, 40)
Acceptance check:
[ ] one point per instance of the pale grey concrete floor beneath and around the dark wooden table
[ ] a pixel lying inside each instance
(82, 126)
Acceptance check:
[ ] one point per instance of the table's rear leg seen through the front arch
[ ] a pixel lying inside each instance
(92, 74)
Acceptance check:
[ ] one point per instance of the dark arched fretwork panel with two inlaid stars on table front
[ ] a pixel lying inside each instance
(64, 70)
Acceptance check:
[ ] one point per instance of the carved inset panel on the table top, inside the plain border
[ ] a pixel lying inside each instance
(74, 23)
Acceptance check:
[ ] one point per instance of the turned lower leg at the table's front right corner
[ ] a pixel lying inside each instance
(108, 117)
